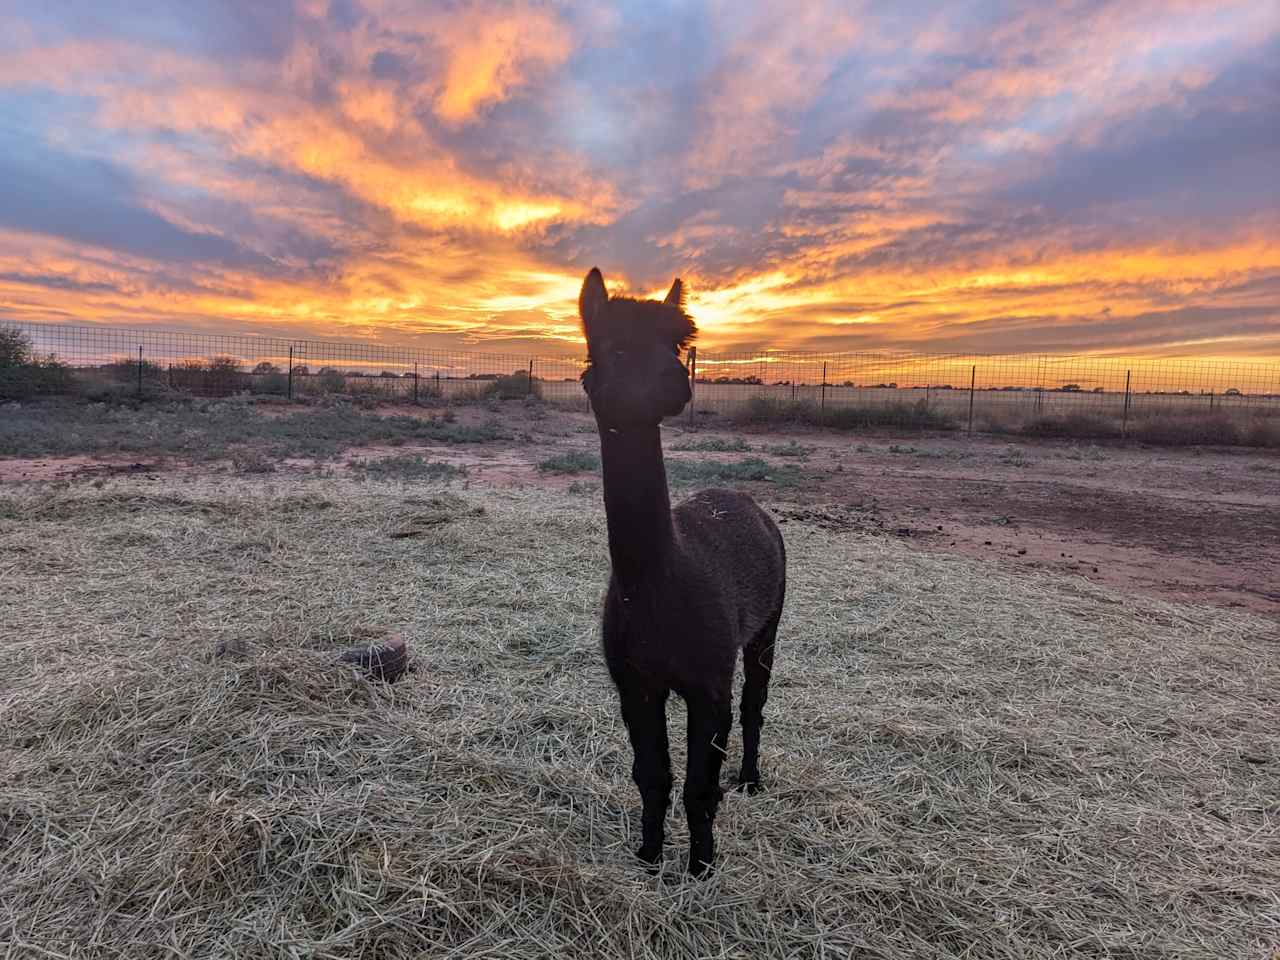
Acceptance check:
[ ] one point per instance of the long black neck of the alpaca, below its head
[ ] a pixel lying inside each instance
(636, 501)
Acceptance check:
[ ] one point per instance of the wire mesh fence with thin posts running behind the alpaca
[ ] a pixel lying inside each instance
(961, 387)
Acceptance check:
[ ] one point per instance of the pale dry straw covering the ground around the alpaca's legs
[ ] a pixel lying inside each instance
(961, 762)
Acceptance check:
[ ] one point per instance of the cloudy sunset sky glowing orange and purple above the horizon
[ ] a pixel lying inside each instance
(1054, 177)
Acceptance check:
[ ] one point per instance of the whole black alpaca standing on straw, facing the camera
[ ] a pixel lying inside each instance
(689, 588)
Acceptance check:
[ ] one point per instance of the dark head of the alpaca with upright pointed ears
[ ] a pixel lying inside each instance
(634, 374)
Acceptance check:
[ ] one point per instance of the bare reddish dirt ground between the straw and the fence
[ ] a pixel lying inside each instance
(1194, 524)
